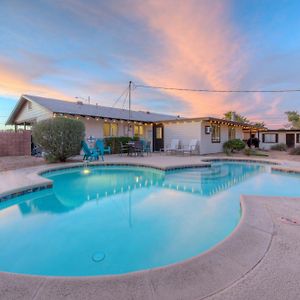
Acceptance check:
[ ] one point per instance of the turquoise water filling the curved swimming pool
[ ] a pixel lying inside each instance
(113, 220)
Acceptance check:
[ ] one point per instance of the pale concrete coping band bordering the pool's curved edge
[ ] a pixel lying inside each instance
(196, 278)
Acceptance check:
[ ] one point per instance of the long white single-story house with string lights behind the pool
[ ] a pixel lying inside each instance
(159, 129)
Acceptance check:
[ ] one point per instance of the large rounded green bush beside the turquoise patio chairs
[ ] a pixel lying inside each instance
(59, 137)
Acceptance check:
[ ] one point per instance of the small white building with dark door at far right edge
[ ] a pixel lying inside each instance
(289, 137)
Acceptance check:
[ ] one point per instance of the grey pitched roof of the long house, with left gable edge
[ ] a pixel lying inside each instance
(79, 108)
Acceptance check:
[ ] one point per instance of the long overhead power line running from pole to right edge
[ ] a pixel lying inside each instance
(214, 91)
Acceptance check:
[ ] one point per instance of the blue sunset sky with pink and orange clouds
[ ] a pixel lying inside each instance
(86, 48)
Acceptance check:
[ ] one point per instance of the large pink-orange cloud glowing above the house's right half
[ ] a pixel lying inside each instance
(200, 50)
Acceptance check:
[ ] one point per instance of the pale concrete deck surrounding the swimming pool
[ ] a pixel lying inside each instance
(259, 260)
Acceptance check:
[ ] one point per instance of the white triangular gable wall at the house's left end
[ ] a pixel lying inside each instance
(34, 114)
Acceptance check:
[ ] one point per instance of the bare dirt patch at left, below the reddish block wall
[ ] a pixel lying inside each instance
(18, 162)
